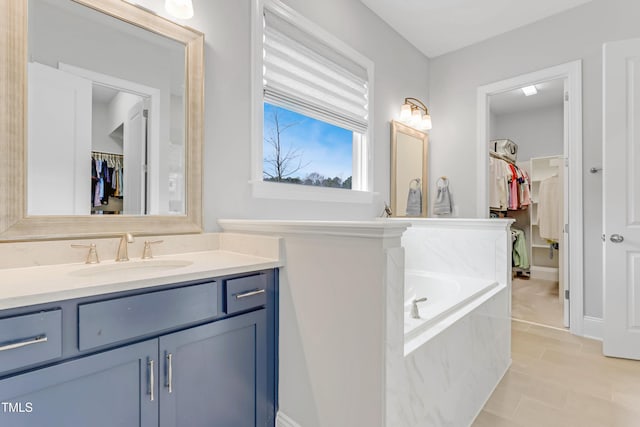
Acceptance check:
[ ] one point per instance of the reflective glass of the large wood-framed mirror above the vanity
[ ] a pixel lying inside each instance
(106, 115)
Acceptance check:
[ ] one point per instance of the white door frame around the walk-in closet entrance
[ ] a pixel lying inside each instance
(572, 72)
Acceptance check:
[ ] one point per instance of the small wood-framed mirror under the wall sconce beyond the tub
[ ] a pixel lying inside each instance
(409, 186)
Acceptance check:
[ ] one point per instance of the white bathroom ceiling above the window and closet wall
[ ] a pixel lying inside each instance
(436, 27)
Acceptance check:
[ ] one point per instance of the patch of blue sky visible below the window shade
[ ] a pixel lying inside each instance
(318, 147)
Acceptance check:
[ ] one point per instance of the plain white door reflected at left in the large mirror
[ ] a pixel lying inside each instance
(59, 142)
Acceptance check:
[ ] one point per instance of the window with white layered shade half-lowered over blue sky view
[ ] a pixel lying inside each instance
(314, 101)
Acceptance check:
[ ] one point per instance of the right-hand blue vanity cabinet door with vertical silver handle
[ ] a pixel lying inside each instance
(215, 375)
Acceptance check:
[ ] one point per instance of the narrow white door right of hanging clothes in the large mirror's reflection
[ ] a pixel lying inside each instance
(134, 161)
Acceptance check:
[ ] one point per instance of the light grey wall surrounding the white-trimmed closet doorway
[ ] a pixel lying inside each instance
(454, 78)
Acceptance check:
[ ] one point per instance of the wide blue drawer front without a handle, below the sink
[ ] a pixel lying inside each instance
(106, 322)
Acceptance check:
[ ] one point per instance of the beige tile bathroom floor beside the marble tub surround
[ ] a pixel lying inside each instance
(560, 380)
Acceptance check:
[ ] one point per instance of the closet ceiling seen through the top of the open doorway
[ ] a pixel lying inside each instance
(549, 94)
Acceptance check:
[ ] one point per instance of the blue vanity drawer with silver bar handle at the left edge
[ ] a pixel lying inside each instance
(29, 339)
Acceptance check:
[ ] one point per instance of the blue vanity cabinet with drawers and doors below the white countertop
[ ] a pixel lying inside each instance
(199, 353)
